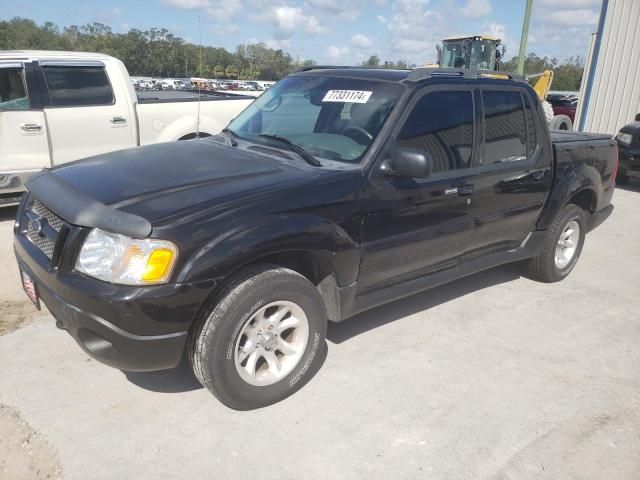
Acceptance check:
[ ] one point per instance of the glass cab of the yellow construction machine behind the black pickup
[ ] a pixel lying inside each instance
(475, 53)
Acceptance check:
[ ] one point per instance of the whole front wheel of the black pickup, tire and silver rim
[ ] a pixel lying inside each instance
(262, 341)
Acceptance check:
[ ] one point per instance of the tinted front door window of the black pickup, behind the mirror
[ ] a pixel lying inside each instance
(441, 123)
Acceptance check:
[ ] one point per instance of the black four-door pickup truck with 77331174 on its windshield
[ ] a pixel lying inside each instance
(336, 191)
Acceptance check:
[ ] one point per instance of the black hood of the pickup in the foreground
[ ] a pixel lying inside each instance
(158, 180)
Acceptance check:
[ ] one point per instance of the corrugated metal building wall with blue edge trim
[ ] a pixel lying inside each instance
(610, 92)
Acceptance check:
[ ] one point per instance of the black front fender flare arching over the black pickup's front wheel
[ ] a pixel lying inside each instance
(250, 241)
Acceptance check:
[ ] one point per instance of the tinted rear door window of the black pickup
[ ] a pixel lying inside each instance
(505, 128)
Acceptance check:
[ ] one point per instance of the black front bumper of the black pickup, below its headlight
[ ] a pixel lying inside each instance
(129, 328)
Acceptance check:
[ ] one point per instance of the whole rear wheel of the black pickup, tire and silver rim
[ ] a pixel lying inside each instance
(562, 246)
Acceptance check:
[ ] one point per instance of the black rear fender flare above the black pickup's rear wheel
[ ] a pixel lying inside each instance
(573, 181)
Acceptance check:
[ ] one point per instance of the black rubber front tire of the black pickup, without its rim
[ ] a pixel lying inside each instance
(213, 342)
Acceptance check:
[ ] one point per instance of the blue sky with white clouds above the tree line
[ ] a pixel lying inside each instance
(336, 31)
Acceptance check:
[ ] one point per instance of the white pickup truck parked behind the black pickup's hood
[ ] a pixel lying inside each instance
(57, 107)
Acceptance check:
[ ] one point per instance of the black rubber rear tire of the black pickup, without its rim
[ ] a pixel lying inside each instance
(543, 267)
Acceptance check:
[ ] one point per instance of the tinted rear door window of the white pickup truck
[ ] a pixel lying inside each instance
(78, 86)
